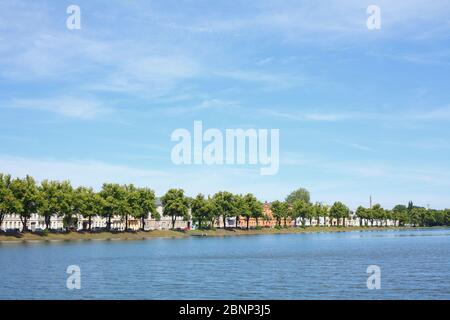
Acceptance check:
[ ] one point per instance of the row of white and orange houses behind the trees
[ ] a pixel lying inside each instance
(36, 222)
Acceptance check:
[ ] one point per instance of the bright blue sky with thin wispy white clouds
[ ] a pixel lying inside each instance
(360, 112)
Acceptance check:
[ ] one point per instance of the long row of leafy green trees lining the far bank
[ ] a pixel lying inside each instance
(24, 197)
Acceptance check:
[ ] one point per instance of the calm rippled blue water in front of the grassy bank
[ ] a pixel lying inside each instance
(414, 265)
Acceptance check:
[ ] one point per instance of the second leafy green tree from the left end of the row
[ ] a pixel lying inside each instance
(25, 191)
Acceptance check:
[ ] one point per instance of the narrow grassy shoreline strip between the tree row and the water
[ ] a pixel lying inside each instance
(164, 234)
